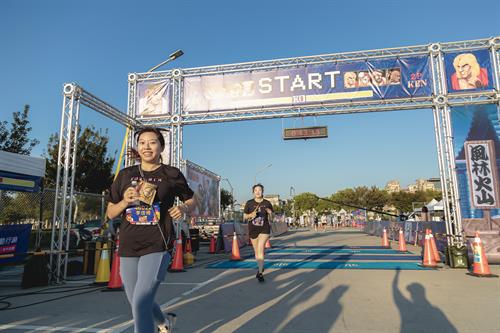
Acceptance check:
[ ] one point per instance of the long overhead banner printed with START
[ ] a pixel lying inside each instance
(309, 85)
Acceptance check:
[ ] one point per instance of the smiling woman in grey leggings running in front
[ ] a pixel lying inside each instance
(143, 195)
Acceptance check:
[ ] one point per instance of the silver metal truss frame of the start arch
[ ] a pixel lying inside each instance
(440, 102)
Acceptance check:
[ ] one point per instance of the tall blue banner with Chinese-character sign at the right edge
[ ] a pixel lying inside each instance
(476, 142)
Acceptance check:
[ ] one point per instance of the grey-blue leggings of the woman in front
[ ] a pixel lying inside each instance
(141, 277)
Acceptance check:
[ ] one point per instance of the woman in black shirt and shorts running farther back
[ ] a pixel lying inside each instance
(258, 212)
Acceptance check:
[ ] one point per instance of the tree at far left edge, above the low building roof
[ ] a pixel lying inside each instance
(16, 140)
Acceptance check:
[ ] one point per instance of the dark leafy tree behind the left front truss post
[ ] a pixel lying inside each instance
(93, 165)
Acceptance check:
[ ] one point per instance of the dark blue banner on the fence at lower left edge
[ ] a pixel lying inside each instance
(14, 239)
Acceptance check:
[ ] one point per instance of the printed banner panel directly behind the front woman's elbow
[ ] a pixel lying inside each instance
(206, 191)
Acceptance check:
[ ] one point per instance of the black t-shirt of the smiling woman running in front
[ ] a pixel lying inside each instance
(140, 228)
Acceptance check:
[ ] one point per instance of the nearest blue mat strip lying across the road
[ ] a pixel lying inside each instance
(319, 265)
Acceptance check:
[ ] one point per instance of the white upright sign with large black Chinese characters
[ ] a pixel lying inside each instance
(481, 166)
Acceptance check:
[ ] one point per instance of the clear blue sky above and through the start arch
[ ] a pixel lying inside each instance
(96, 43)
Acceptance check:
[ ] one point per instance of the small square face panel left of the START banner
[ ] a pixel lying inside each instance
(153, 98)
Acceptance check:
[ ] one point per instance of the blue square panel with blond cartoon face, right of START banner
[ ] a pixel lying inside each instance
(468, 71)
